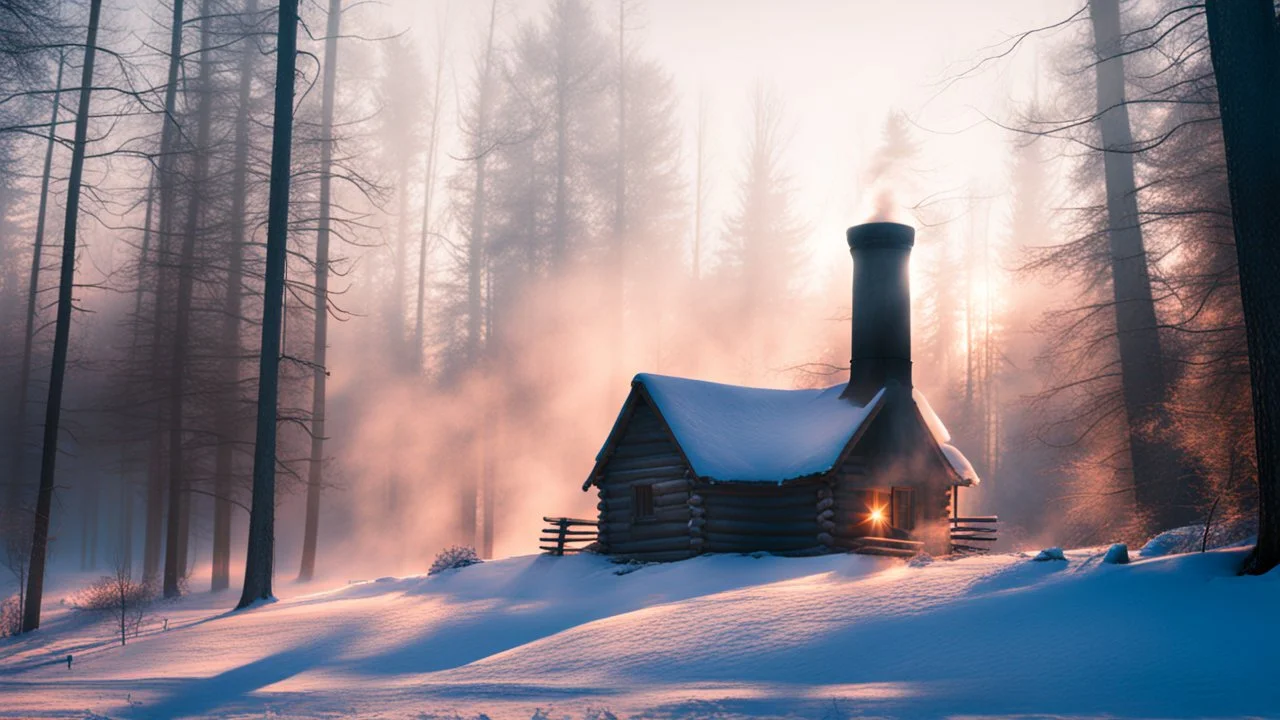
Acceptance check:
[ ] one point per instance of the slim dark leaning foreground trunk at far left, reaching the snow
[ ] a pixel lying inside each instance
(62, 338)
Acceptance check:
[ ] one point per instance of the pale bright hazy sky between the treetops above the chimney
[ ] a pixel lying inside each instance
(840, 66)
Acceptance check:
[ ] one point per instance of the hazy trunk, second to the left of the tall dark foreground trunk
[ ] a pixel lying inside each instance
(180, 498)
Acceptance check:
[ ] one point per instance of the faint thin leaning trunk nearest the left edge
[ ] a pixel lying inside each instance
(20, 435)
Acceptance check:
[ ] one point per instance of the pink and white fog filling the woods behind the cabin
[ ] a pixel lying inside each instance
(479, 352)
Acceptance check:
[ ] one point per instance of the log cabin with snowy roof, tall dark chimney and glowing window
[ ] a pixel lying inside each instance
(694, 467)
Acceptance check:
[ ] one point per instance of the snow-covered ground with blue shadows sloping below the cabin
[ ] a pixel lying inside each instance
(714, 637)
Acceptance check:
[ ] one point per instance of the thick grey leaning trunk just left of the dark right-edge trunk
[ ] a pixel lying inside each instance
(1165, 493)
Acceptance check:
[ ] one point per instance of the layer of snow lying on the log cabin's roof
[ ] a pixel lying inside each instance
(734, 434)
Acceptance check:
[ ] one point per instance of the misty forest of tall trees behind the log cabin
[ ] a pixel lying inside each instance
(316, 289)
